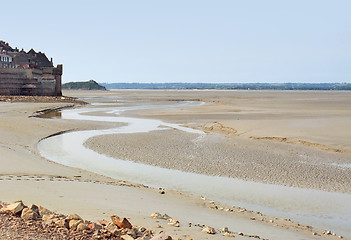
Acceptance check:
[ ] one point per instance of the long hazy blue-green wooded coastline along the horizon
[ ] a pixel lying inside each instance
(231, 86)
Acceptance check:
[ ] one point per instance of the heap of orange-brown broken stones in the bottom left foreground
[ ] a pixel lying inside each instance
(18, 221)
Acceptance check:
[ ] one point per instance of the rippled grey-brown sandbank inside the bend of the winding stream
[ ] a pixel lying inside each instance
(213, 154)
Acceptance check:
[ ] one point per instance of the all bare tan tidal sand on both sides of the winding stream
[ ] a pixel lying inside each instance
(261, 133)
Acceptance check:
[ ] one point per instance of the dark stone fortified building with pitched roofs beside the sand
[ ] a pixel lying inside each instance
(28, 73)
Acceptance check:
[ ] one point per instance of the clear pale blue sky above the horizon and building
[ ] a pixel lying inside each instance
(219, 41)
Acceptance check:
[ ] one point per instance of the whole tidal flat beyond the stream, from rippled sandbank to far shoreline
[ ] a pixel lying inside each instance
(289, 138)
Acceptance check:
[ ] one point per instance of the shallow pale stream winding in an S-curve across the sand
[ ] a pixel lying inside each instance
(320, 209)
